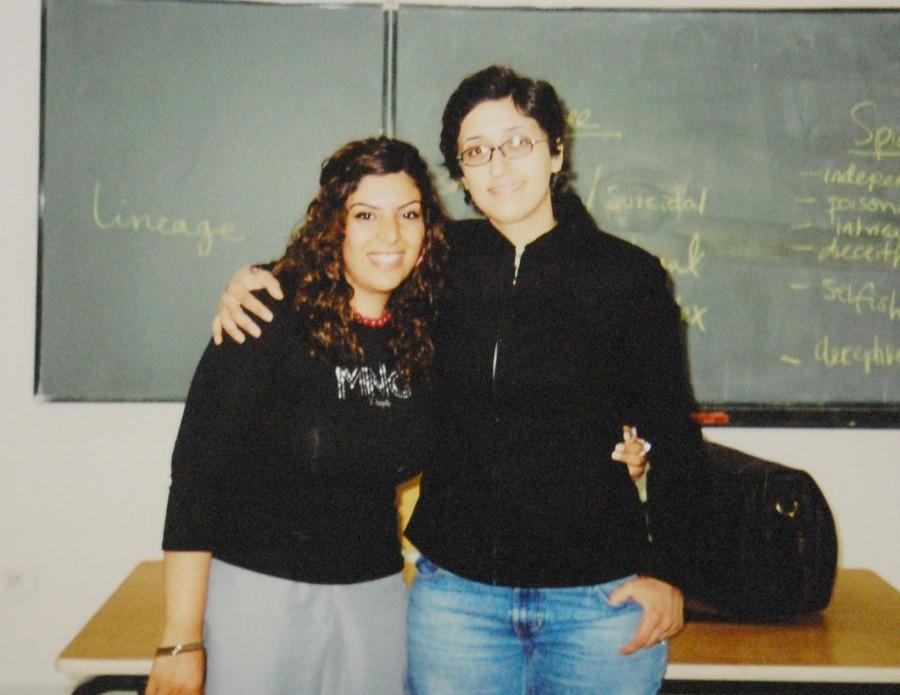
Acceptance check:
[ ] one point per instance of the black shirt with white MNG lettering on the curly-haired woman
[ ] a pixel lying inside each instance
(287, 465)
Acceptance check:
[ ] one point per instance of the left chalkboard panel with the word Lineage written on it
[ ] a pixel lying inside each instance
(180, 141)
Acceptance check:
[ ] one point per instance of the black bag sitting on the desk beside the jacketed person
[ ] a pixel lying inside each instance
(773, 542)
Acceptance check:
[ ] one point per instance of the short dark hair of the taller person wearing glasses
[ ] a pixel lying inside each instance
(536, 99)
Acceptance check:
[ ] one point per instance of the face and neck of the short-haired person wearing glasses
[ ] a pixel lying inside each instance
(514, 194)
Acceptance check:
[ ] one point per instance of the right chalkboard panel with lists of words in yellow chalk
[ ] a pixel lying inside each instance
(757, 153)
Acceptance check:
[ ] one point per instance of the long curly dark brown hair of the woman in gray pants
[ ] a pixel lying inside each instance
(313, 266)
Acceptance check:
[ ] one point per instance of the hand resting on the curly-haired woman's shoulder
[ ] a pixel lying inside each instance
(231, 316)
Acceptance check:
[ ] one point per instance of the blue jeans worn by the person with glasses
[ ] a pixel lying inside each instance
(469, 638)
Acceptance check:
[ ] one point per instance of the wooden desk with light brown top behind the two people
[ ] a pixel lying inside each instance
(852, 647)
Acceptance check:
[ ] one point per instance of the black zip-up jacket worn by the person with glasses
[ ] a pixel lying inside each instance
(538, 367)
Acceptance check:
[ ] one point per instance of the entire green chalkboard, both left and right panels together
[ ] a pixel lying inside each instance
(757, 153)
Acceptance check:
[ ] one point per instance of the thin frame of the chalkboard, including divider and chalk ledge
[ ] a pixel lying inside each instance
(829, 415)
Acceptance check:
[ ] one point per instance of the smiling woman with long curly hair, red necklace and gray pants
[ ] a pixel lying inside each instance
(282, 557)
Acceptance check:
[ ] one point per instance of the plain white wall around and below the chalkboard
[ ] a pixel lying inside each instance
(84, 485)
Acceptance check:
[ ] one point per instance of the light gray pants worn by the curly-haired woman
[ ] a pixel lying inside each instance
(272, 636)
